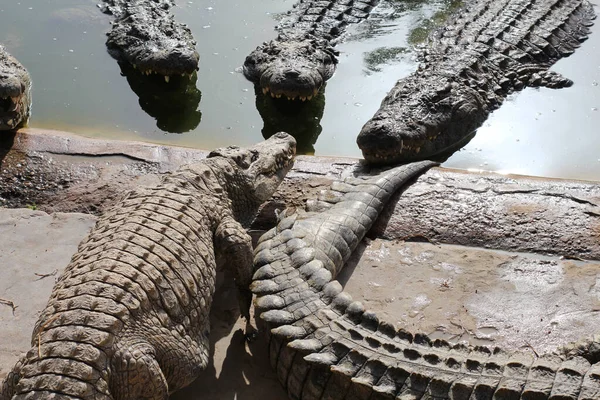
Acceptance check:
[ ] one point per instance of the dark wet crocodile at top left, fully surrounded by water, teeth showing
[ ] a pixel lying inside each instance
(146, 35)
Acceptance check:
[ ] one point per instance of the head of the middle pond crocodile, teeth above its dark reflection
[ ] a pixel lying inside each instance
(291, 66)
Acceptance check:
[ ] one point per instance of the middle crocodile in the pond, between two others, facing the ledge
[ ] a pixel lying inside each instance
(297, 63)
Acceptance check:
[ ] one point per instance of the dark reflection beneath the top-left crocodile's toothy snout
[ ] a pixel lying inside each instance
(173, 104)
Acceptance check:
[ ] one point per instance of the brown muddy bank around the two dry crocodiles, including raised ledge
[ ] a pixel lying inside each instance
(495, 260)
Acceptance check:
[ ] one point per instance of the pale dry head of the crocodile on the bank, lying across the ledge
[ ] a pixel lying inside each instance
(259, 169)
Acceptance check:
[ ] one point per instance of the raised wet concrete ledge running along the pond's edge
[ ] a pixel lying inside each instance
(57, 171)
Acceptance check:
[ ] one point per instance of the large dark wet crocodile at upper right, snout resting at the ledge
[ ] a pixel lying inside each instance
(487, 51)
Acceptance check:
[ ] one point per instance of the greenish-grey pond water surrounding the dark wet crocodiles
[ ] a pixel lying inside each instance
(78, 87)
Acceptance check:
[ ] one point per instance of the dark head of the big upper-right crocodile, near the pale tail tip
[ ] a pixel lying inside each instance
(417, 122)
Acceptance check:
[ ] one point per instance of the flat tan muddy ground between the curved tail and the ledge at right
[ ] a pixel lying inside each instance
(486, 297)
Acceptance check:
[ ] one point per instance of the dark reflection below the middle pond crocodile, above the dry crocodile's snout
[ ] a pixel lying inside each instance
(300, 119)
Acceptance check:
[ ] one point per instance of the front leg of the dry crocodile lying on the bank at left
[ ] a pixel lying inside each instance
(235, 250)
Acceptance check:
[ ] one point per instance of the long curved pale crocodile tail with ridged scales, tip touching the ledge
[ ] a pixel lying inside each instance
(324, 345)
